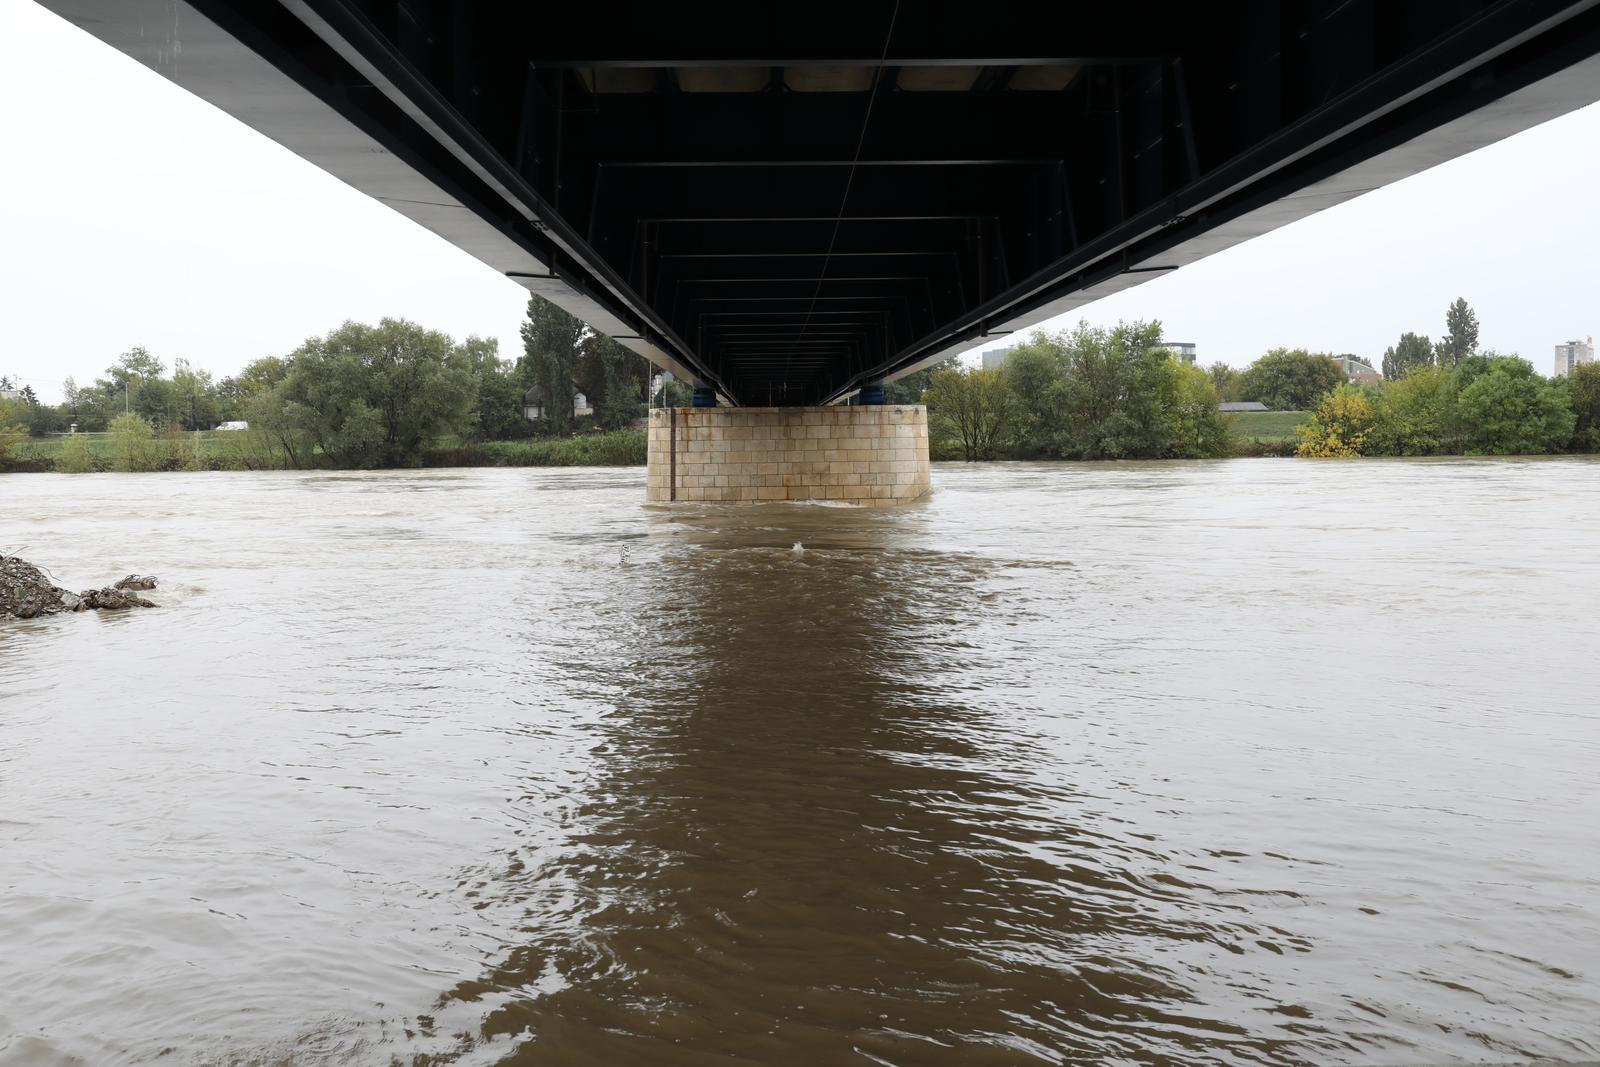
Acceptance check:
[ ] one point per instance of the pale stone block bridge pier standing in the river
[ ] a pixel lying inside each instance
(873, 455)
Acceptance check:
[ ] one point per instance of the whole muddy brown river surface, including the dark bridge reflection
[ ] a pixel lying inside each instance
(1252, 762)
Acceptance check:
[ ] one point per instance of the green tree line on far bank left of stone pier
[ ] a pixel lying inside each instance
(362, 396)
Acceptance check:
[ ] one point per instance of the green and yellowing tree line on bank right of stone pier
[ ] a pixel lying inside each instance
(1118, 394)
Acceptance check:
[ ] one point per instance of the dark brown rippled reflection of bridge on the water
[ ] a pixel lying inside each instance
(804, 841)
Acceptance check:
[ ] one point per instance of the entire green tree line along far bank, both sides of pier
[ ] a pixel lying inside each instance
(396, 394)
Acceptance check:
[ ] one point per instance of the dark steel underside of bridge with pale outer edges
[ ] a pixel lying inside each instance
(793, 201)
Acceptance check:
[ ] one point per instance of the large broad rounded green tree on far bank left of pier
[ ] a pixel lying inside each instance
(372, 396)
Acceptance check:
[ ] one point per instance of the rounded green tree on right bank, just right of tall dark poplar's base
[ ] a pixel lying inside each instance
(1508, 410)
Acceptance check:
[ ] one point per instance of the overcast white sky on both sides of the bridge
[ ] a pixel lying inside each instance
(135, 214)
